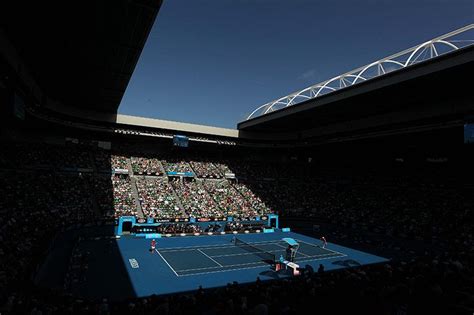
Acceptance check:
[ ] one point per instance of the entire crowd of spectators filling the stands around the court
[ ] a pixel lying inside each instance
(438, 279)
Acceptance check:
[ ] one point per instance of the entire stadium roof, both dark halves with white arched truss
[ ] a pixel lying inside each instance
(83, 59)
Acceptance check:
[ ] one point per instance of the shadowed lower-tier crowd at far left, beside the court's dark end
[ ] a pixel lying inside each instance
(34, 207)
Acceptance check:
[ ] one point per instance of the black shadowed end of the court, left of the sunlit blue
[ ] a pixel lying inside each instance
(88, 263)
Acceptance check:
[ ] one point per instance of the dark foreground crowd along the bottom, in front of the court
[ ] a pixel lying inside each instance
(423, 285)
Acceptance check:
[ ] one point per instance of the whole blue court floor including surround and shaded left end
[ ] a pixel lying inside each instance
(129, 268)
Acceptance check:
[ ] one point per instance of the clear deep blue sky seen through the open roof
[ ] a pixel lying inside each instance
(213, 62)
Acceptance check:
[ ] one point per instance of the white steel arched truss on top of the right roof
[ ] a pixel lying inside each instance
(454, 40)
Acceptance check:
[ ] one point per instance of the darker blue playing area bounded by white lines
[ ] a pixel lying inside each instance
(194, 260)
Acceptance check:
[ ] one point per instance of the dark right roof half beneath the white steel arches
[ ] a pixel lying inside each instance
(439, 87)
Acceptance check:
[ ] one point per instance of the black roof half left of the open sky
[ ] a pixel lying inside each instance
(80, 53)
